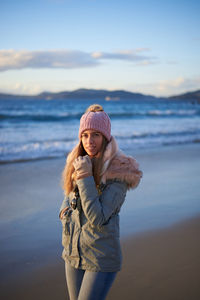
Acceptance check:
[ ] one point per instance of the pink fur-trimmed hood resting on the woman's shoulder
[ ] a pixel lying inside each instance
(116, 165)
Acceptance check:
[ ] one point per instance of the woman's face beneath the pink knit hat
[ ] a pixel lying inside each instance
(92, 142)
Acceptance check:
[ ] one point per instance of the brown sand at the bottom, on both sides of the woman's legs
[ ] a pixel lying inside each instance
(161, 264)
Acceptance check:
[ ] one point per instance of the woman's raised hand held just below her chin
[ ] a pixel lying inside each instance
(83, 166)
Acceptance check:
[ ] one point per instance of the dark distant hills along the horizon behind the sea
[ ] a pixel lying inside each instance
(91, 94)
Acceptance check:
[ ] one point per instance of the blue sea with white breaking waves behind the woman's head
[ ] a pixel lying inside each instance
(40, 129)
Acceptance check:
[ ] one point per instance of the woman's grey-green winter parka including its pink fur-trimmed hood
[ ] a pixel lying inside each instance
(90, 234)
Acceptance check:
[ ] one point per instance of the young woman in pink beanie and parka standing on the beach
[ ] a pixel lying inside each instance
(95, 180)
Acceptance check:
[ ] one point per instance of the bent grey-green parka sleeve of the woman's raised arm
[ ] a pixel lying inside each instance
(99, 208)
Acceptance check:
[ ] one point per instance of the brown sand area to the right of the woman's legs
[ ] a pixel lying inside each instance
(163, 265)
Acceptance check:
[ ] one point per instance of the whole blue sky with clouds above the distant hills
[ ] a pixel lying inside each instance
(152, 47)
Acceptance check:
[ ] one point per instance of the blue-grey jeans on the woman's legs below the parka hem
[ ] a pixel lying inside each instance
(87, 285)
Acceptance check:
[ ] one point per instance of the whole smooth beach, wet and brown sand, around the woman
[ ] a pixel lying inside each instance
(161, 252)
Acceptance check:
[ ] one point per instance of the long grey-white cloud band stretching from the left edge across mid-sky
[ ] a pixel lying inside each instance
(66, 59)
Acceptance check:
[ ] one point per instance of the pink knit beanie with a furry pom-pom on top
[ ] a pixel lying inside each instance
(95, 118)
